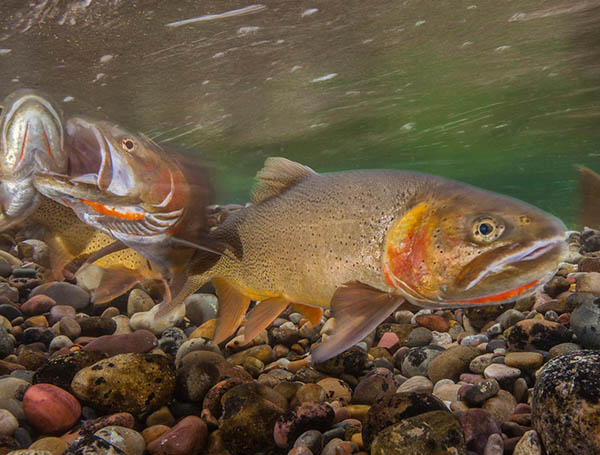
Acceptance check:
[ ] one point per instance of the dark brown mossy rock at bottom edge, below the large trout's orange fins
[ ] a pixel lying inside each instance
(250, 411)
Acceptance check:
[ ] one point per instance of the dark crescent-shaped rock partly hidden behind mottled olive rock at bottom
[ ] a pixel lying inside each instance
(394, 408)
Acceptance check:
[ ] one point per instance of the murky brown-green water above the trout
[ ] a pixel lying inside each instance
(501, 94)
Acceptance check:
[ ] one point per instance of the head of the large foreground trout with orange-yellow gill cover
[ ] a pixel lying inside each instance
(466, 246)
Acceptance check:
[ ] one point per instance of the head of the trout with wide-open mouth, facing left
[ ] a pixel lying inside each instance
(118, 182)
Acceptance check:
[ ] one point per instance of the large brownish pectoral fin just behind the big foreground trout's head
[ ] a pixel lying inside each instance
(357, 309)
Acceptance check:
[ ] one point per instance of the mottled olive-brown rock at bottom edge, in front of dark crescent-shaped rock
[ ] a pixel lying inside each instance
(432, 433)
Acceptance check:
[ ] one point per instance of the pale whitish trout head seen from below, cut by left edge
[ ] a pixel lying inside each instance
(31, 140)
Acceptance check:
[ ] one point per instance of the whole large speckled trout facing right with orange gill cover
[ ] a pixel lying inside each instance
(362, 242)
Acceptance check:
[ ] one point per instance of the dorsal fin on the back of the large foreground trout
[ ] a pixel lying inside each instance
(277, 175)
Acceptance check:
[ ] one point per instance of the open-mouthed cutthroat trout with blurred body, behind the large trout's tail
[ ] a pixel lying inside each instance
(127, 186)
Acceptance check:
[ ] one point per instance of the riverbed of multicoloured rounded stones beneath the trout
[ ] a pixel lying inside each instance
(83, 379)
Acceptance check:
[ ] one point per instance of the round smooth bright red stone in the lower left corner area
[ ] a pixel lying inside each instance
(50, 409)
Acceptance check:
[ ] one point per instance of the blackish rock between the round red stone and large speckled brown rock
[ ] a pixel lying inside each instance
(61, 370)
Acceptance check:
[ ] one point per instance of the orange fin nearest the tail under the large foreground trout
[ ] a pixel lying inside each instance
(232, 307)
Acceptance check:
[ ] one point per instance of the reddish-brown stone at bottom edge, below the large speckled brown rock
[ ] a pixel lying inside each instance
(188, 437)
